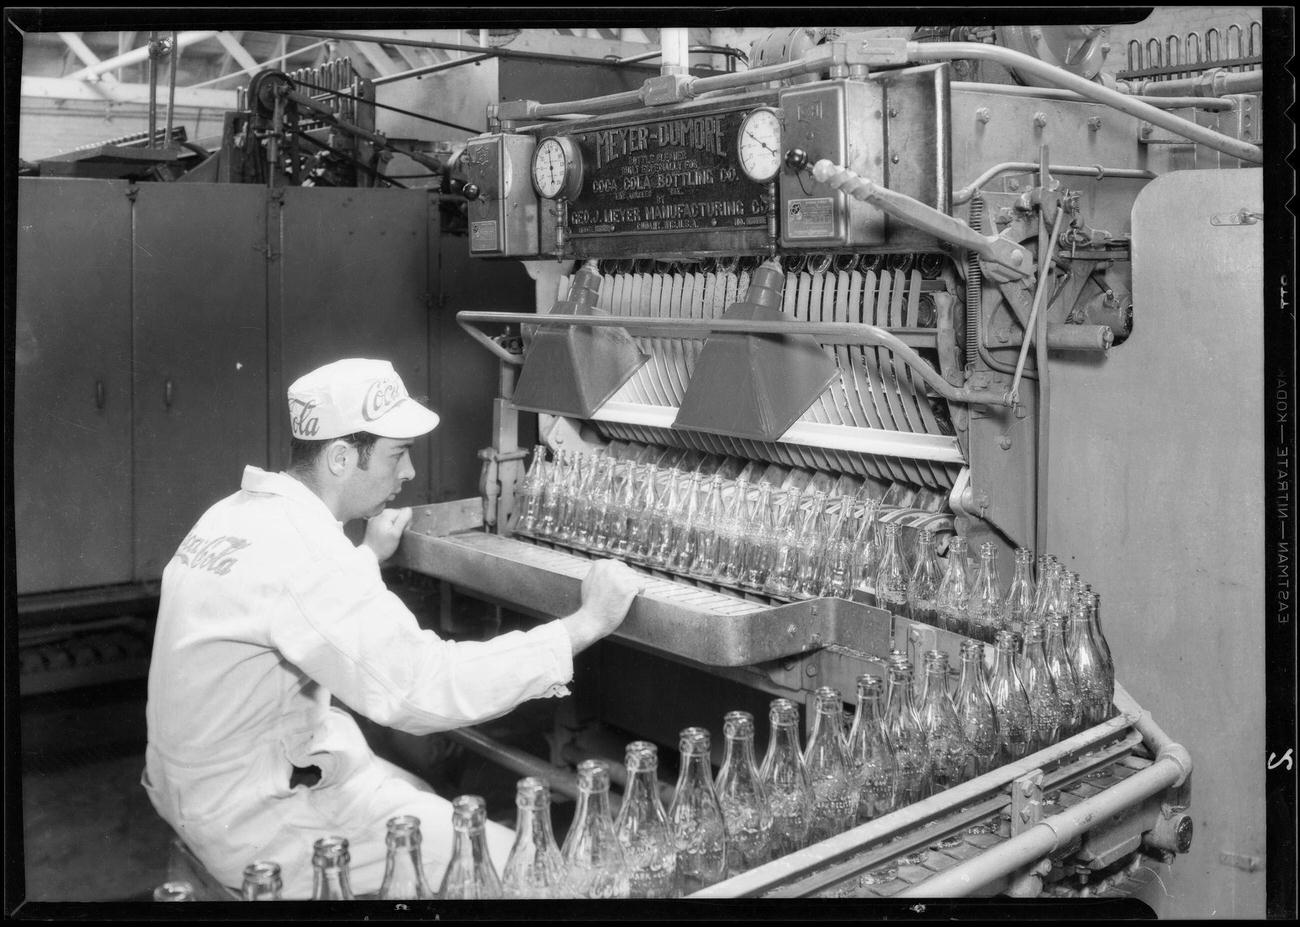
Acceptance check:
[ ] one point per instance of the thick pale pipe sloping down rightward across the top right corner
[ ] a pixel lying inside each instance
(1136, 107)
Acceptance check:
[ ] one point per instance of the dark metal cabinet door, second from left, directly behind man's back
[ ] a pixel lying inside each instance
(200, 372)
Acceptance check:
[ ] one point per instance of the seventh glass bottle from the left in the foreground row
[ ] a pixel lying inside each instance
(593, 856)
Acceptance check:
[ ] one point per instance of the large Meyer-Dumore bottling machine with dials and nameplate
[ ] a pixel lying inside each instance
(846, 268)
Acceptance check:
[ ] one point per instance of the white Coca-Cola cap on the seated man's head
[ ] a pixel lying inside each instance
(356, 396)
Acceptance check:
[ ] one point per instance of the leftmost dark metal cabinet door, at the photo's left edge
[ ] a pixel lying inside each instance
(72, 426)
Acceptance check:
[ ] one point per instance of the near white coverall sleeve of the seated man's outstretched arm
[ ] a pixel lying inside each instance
(343, 627)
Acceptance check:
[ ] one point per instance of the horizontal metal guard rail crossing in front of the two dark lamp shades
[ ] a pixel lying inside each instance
(699, 330)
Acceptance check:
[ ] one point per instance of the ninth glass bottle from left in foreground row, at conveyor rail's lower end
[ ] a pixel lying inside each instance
(696, 817)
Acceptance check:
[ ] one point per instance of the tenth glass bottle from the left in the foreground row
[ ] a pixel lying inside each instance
(740, 792)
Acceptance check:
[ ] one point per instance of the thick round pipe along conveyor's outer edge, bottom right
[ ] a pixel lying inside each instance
(1046, 837)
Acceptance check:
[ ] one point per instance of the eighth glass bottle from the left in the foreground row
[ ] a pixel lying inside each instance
(643, 829)
